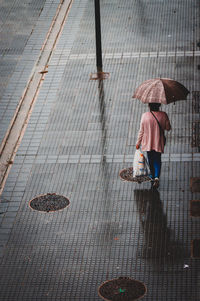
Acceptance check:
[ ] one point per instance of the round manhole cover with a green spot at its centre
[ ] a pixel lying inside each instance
(122, 289)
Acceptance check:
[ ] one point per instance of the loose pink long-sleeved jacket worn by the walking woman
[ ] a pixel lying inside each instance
(149, 134)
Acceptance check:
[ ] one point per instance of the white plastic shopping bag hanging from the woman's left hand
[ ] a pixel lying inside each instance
(139, 164)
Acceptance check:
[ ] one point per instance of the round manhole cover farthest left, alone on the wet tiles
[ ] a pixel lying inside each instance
(49, 202)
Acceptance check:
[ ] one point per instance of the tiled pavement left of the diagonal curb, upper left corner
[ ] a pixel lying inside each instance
(24, 26)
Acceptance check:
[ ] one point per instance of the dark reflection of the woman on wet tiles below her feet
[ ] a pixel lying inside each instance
(158, 242)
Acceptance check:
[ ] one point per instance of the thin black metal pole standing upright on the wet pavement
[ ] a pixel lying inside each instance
(98, 36)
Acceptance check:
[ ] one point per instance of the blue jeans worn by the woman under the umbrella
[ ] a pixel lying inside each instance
(154, 159)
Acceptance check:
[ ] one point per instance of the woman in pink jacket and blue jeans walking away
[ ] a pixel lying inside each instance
(151, 138)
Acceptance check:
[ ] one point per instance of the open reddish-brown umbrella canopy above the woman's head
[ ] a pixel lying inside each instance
(161, 90)
